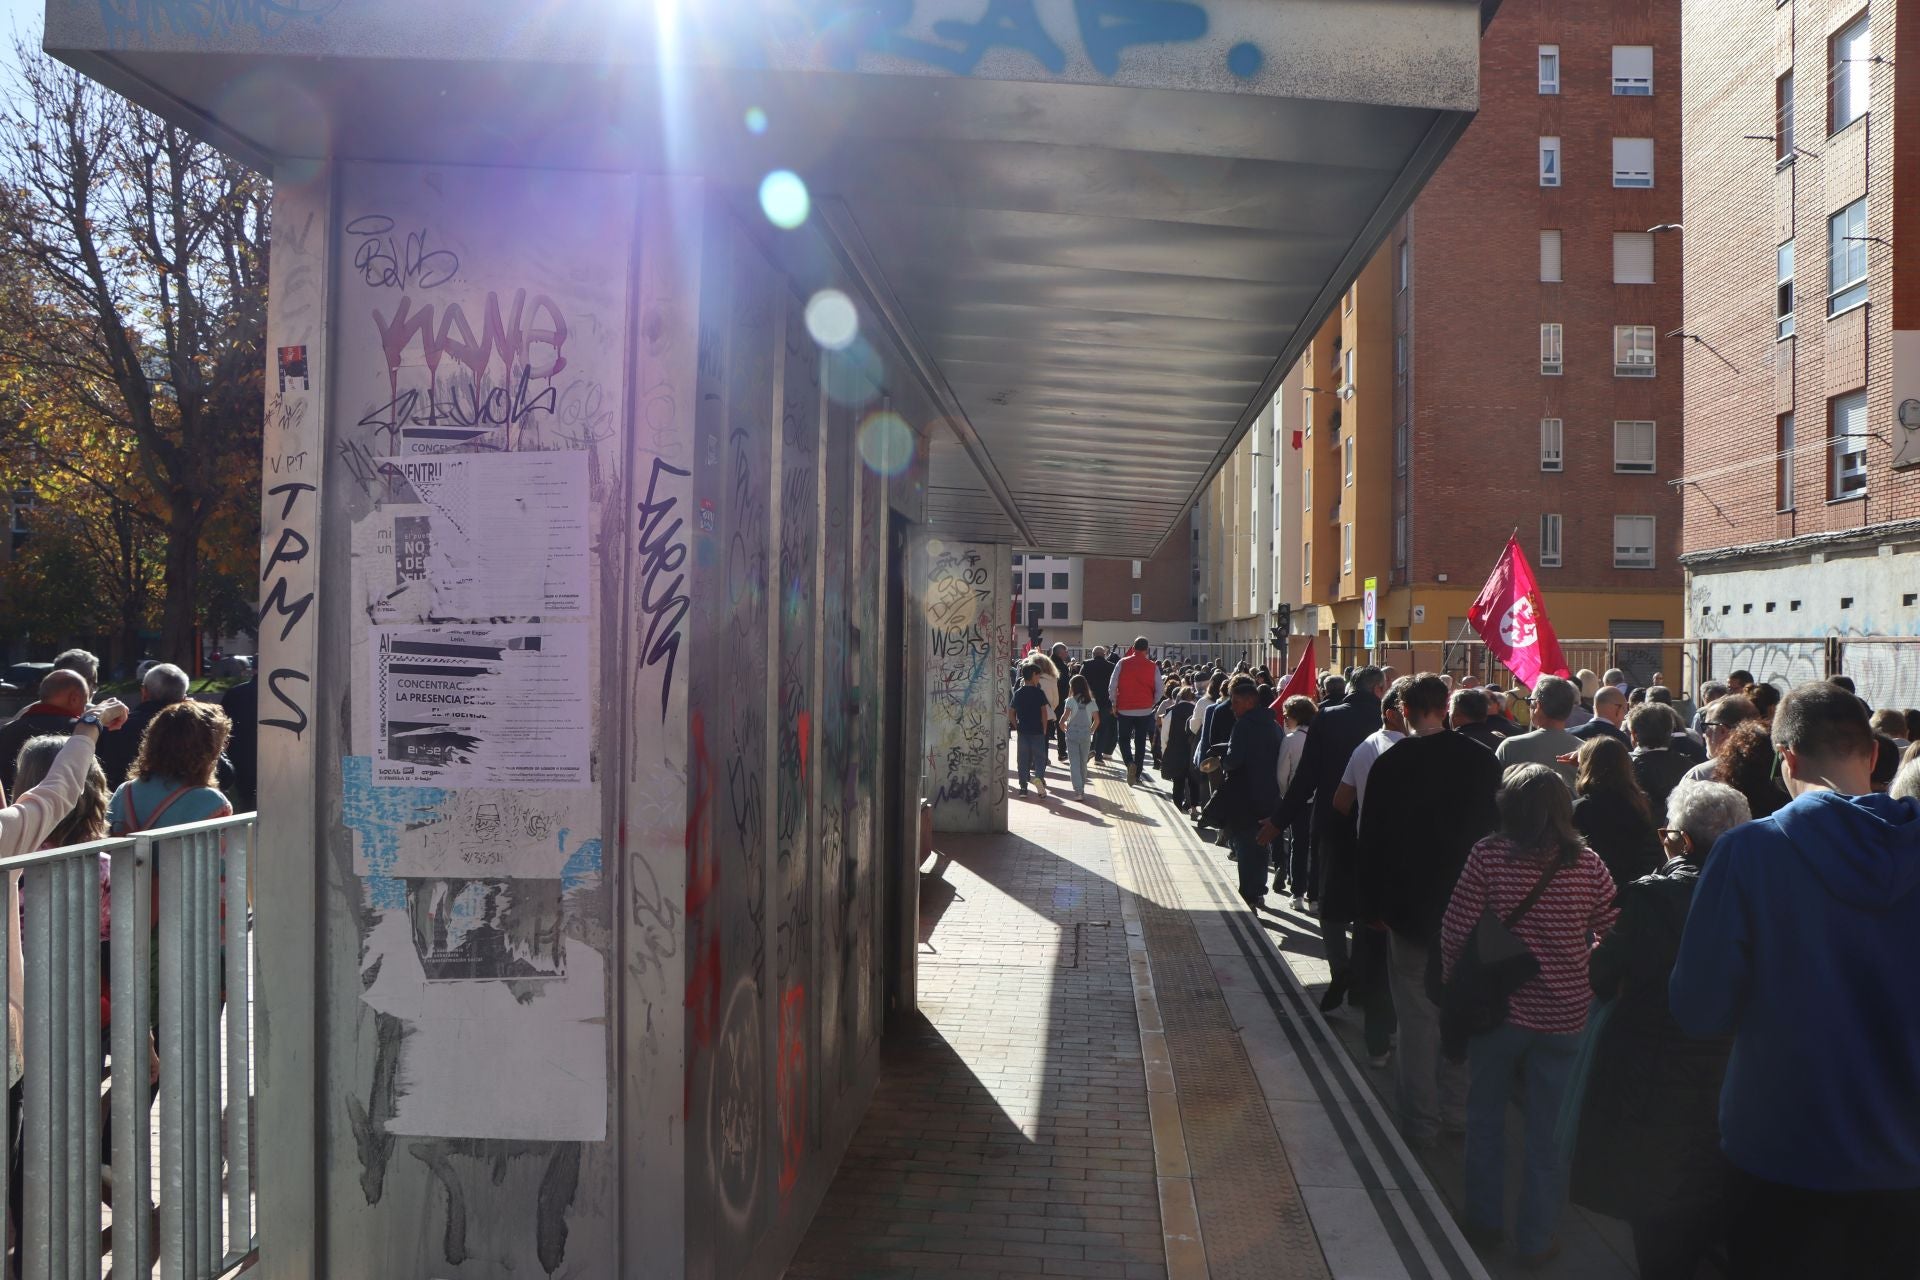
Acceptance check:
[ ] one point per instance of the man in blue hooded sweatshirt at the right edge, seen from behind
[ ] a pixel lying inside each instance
(1804, 943)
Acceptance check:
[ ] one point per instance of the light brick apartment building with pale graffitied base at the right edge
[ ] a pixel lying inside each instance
(1802, 471)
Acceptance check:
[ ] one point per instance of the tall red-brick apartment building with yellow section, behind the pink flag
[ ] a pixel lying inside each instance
(1502, 364)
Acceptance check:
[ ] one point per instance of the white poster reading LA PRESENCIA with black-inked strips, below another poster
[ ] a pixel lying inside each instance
(483, 705)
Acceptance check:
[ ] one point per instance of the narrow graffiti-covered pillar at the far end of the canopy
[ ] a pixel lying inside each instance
(967, 605)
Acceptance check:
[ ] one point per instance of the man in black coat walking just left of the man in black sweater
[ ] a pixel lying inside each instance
(1332, 742)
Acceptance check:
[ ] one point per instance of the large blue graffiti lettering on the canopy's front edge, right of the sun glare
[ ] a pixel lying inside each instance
(1105, 28)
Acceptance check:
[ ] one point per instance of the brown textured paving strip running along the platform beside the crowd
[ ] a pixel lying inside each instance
(1253, 1218)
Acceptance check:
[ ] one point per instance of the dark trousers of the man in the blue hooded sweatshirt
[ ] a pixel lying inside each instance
(1787, 1233)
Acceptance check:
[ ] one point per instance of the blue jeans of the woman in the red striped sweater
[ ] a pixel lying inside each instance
(1543, 1064)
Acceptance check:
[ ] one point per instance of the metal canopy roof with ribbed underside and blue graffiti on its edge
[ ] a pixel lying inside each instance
(1101, 229)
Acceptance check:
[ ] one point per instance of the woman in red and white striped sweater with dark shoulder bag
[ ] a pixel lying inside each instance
(1541, 1037)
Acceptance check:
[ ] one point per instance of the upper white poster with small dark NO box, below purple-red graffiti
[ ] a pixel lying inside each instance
(481, 536)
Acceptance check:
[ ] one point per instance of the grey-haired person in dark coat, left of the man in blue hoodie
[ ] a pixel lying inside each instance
(1650, 1143)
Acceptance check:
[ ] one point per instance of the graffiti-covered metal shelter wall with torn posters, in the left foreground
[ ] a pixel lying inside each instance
(577, 667)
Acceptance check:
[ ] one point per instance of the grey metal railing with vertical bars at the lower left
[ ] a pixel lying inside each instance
(203, 1164)
